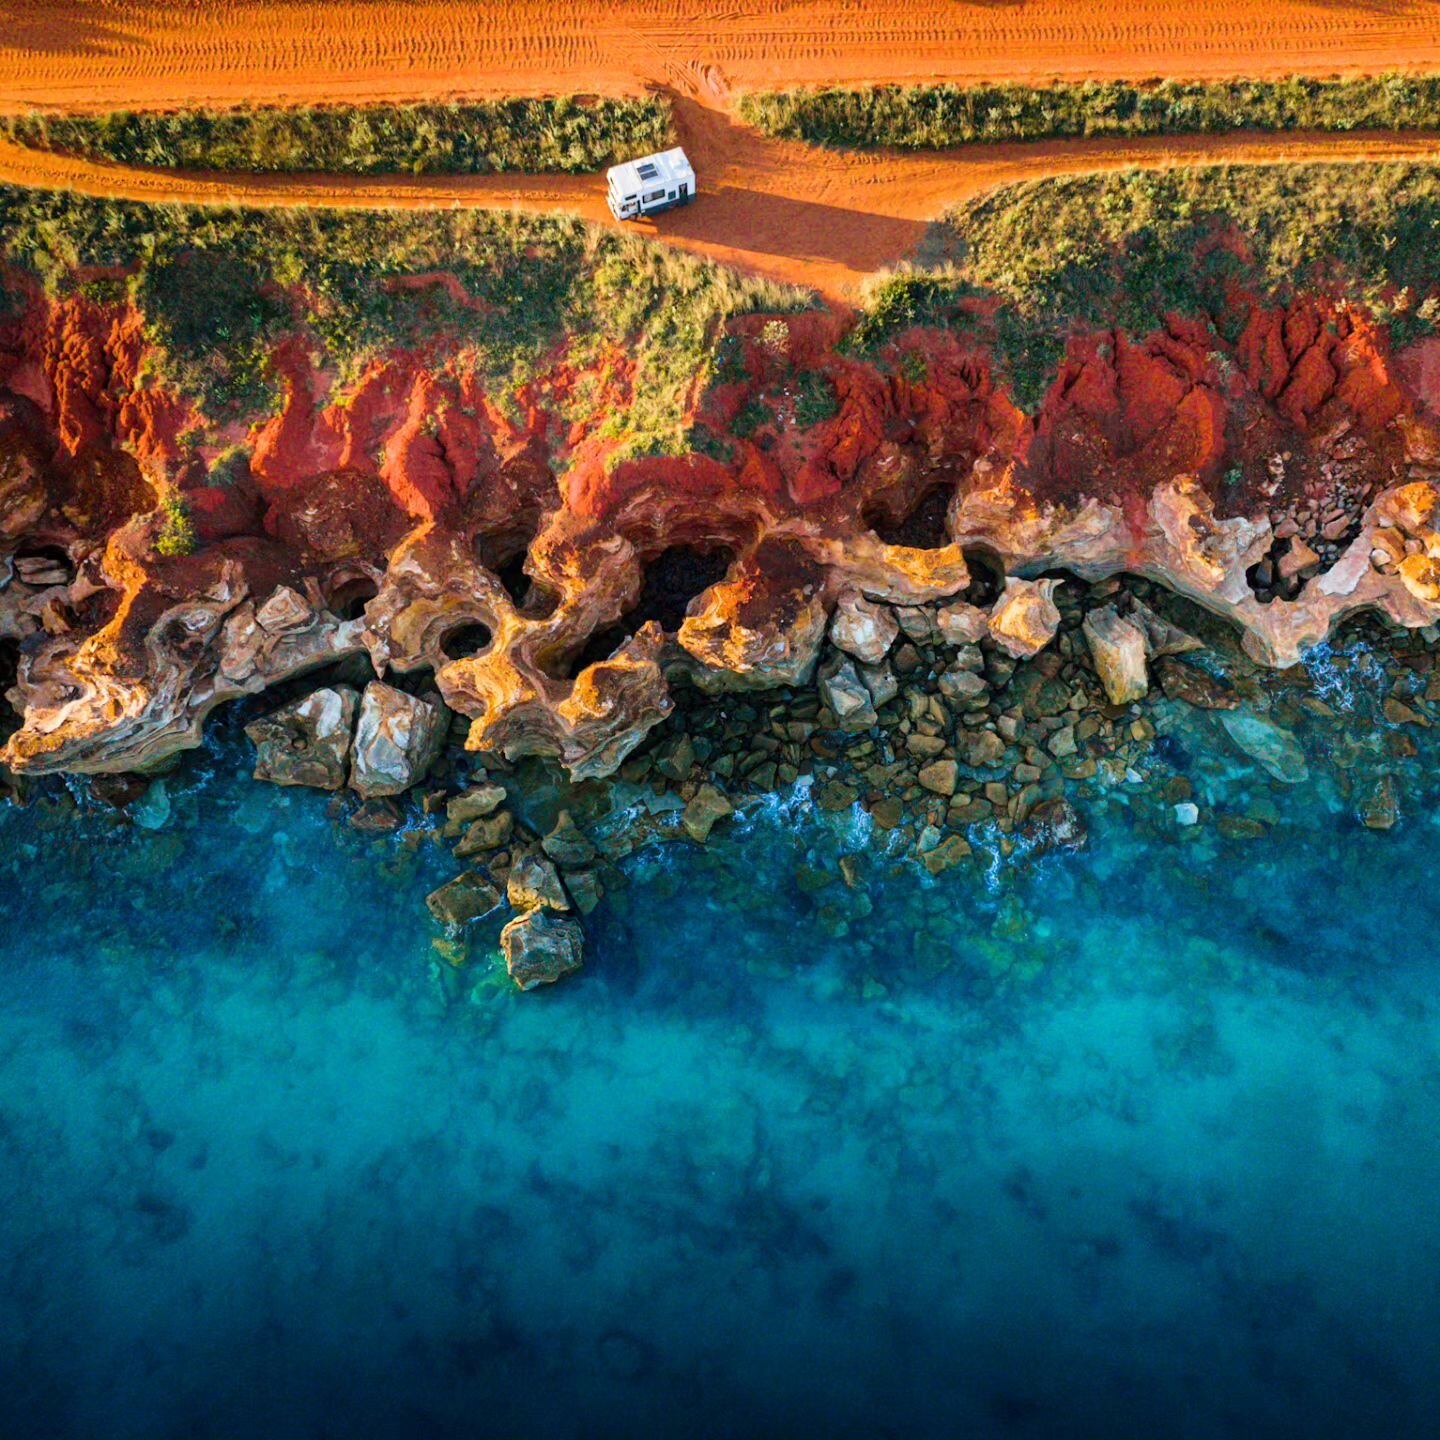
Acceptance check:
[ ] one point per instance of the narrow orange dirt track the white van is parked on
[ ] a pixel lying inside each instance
(784, 211)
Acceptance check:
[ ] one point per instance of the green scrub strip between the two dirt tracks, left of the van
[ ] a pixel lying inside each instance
(476, 138)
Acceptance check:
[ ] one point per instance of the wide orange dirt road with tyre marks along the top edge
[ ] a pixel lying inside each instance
(168, 53)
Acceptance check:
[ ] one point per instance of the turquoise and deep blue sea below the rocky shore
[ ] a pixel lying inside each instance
(1135, 1141)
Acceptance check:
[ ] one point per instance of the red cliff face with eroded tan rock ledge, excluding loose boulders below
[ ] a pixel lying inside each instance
(557, 597)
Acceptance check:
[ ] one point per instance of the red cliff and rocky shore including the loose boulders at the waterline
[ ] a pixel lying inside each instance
(875, 577)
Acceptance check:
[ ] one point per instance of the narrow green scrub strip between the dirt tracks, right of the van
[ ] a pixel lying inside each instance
(931, 117)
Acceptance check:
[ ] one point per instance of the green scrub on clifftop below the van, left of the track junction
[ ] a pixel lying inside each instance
(220, 289)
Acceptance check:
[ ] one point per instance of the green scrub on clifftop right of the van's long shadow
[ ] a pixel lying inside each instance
(1030, 263)
